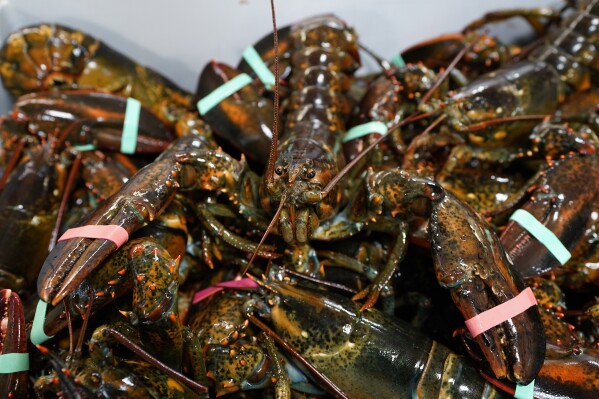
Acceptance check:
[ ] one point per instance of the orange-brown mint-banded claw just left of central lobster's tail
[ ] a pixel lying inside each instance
(244, 119)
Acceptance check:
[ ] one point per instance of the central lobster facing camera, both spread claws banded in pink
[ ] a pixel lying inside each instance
(385, 195)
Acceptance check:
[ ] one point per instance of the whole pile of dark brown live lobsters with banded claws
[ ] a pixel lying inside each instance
(164, 265)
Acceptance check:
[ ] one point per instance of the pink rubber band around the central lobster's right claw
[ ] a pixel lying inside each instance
(500, 313)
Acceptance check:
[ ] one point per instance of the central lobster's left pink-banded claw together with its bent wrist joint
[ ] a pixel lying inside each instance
(138, 202)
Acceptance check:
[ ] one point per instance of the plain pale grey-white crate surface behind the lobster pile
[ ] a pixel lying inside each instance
(178, 37)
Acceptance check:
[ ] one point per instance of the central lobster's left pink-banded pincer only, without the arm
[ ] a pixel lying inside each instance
(139, 201)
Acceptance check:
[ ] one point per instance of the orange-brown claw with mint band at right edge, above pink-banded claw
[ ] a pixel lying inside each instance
(567, 193)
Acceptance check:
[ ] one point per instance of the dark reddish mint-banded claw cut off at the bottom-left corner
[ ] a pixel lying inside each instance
(13, 339)
